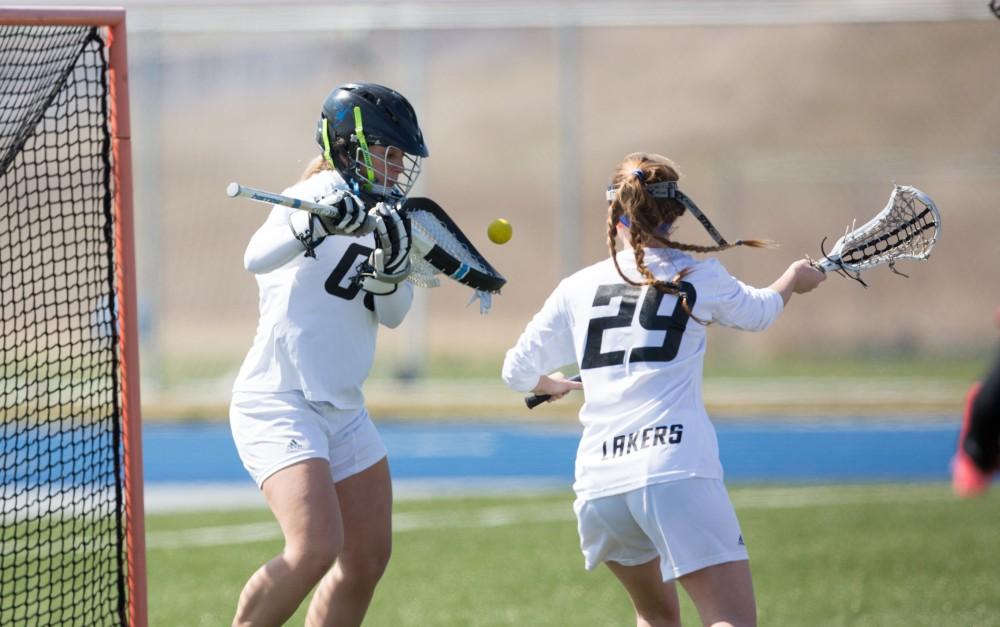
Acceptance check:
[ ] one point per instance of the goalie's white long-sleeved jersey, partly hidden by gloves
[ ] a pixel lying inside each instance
(317, 329)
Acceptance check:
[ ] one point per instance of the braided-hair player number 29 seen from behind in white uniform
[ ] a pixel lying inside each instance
(651, 503)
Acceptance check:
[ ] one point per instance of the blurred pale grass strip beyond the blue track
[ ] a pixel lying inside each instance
(462, 386)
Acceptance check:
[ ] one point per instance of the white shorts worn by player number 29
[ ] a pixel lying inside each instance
(689, 524)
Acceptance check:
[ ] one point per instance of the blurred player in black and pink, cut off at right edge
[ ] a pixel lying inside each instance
(978, 454)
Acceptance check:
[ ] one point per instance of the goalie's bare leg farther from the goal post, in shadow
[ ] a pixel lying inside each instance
(343, 595)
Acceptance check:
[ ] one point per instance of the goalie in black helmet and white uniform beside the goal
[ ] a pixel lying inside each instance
(298, 416)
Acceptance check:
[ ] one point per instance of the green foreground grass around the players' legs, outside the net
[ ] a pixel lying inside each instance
(871, 555)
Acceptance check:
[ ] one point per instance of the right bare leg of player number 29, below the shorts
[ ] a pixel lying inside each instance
(723, 594)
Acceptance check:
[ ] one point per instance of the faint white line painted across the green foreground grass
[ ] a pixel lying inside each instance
(499, 516)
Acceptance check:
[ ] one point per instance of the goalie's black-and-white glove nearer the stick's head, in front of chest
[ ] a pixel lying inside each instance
(389, 263)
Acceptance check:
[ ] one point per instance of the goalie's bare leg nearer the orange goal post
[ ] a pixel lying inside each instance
(304, 501)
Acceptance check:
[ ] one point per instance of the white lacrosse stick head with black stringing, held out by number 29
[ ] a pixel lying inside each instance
(907, 228)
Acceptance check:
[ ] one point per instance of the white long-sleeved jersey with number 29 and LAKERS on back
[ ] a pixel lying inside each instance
(640, 359)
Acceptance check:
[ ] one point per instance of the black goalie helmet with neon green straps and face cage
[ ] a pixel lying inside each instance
(370, 135)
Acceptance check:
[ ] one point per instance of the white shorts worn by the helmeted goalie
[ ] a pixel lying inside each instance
(273, 430)
